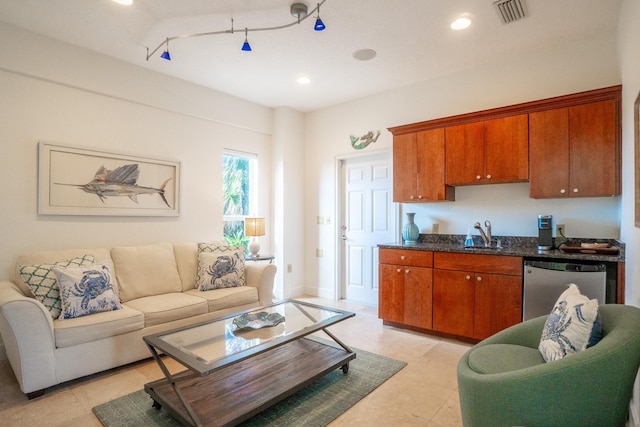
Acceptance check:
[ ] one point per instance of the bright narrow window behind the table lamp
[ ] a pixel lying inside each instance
(239, 193)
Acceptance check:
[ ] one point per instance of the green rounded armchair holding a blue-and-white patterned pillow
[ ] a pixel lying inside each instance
(504, 381)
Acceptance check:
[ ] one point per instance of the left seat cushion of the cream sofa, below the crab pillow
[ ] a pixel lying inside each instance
(70, 332)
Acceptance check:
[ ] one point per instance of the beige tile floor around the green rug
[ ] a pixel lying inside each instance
(424, 393)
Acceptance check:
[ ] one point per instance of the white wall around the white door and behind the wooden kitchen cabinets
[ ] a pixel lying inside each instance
(557, 70)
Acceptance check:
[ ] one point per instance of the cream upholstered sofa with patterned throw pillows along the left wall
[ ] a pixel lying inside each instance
(156, 285)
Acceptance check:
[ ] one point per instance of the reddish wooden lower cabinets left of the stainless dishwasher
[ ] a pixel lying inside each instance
(468, 295)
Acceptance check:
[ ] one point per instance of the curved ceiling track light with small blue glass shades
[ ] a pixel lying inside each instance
(298, 10)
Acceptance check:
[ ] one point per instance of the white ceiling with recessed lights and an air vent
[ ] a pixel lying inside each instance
(412, 39)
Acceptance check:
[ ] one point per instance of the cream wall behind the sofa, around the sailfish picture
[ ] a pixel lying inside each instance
(62, 94)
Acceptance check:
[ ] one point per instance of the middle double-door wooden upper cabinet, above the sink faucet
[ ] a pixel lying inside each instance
(491, 151)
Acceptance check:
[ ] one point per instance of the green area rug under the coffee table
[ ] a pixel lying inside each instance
(315, 405)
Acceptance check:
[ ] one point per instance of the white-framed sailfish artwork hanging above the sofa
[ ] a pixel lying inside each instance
(83, 181)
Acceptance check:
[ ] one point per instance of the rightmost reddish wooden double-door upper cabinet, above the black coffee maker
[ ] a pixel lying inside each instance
(574, 151)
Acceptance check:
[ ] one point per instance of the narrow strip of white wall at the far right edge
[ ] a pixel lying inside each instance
(628, 41)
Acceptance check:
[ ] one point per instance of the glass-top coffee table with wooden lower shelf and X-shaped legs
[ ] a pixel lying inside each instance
(241, 364)
